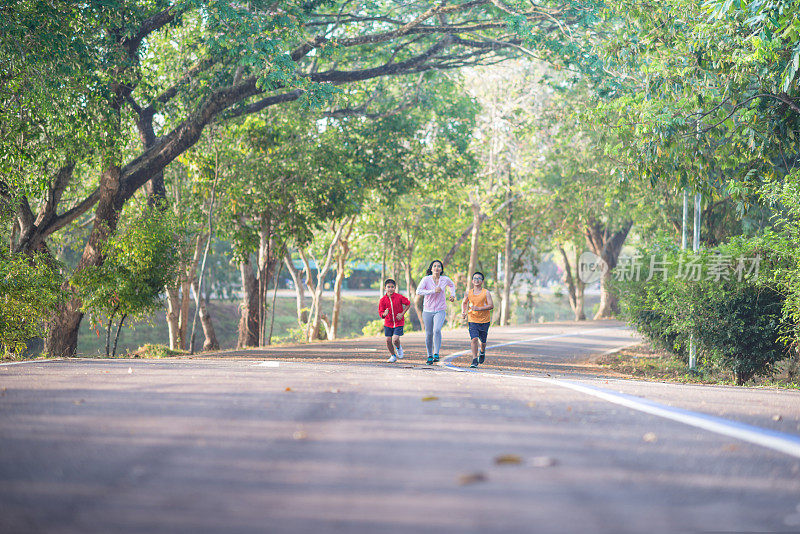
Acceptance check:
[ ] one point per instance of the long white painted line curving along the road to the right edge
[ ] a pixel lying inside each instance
(777, 441)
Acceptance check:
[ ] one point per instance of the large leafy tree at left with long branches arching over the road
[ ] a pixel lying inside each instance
(232, 60)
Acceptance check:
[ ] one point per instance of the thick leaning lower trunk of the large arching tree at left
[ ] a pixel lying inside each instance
(62, 336)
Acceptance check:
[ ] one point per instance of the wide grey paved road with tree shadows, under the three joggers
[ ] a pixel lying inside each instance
(283, 441)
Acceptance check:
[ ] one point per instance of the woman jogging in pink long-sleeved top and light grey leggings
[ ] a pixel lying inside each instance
(434, 308)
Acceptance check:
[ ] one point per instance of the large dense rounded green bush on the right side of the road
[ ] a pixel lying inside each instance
(724, 297)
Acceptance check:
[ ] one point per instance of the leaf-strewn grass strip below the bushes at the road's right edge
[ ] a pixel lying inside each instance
(646, 363)
